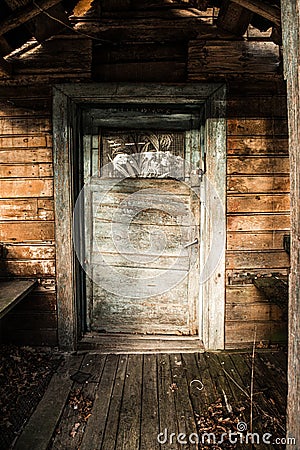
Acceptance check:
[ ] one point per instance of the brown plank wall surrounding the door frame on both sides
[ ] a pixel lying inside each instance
(257, 165)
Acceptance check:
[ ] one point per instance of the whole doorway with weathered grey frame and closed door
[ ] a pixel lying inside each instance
(175, 292)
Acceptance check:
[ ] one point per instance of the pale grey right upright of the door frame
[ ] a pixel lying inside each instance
(212, 327)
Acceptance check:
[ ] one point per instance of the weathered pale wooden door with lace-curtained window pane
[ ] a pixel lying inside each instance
(141, 224)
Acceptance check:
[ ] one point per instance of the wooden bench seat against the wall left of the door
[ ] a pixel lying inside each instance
(12, 292)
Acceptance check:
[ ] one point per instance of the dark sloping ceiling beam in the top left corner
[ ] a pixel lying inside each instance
(25, 14)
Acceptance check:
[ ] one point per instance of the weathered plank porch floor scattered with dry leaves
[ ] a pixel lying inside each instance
(123, 401)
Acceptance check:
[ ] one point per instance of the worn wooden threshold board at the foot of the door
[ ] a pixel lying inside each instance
(137, 344)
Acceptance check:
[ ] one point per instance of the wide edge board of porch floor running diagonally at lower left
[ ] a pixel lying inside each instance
(39, 430)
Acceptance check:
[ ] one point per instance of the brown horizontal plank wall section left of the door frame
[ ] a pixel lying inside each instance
(26, 211)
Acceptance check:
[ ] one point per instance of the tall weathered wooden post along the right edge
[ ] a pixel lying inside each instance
(291, 43)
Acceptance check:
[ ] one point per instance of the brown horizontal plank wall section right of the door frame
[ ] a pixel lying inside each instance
(257, 210)
